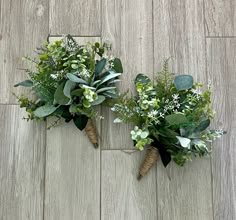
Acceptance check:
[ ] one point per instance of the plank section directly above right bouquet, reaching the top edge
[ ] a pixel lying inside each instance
(179, 35)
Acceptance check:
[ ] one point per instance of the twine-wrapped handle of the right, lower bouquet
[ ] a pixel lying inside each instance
(150, 159)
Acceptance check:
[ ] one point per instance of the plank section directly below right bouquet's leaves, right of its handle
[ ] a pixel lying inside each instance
(187, 194)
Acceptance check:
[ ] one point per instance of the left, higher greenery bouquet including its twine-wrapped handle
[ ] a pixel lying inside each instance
(68, 80)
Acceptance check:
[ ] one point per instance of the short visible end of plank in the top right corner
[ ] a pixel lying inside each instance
(220, 17)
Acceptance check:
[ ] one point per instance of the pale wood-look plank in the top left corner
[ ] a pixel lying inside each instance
(23, 27)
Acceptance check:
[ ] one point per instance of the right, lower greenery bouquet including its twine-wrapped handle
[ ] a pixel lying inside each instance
(171, 117)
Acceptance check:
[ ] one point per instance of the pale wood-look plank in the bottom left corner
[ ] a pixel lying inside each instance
(22, 158)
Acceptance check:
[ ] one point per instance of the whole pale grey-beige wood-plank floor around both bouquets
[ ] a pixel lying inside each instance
(56, 174)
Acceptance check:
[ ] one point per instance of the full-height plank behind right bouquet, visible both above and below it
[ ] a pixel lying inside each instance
(179, 34)
